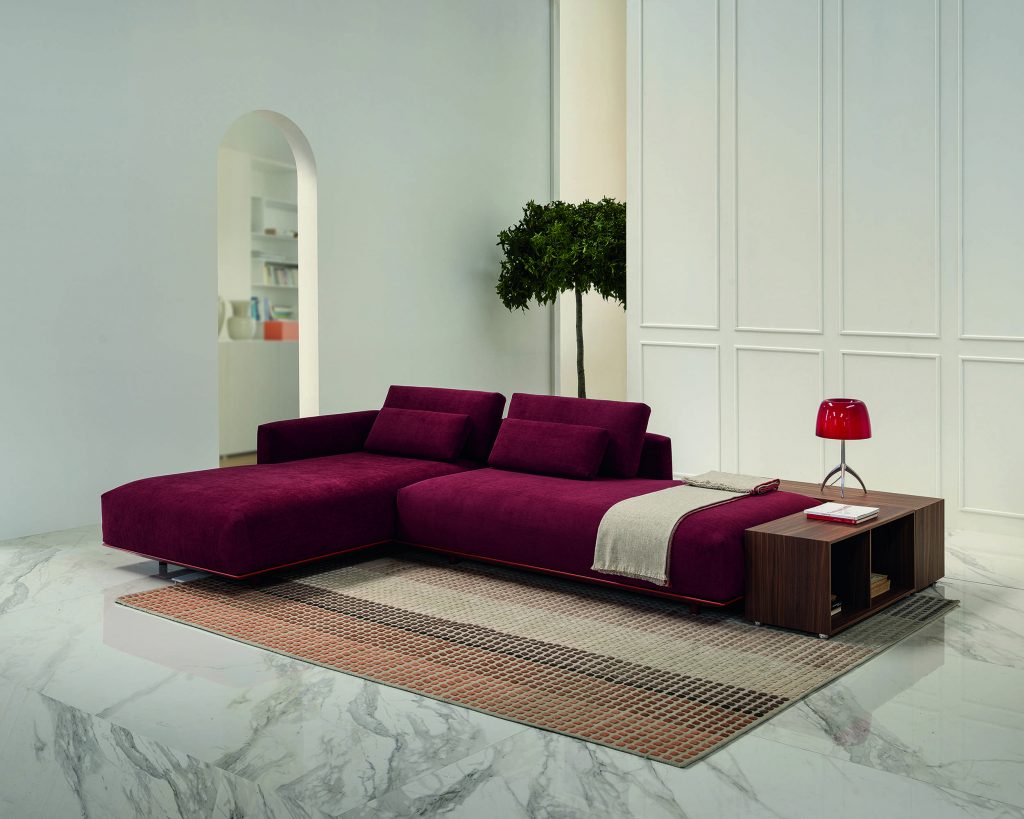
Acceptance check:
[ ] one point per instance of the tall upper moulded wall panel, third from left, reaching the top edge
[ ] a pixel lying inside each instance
(889, 185)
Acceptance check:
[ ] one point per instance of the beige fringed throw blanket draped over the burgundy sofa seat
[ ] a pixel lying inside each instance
(634, 539)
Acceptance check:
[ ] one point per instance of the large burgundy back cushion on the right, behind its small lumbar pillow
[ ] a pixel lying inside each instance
(625, 421)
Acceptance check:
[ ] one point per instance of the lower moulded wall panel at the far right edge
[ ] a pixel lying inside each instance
(993, 394)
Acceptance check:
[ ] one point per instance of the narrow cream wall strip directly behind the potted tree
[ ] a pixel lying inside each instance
(592, 165)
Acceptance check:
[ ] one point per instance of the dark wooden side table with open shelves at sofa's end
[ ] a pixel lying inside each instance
(794, 565)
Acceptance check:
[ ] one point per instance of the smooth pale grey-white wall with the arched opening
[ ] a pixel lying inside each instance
(431, 124)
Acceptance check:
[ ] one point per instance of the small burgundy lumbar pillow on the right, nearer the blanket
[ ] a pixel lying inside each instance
(570, 451)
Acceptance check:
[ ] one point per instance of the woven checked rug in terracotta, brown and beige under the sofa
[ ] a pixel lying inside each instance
(633, 673)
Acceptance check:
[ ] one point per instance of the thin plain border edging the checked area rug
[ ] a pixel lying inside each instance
(940, 613)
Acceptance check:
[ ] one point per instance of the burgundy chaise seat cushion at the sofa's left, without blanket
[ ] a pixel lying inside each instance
(247, 520)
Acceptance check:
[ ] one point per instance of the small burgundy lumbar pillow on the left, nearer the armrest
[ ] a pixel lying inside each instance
(419, 434)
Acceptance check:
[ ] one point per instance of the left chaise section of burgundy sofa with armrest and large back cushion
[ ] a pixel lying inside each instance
(315, 493)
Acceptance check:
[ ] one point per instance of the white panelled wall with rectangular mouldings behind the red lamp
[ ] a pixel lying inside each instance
(826, 200)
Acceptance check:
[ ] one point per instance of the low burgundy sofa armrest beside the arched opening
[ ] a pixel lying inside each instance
(313, 438)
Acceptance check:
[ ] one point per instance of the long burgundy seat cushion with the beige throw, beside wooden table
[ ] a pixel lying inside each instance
(550, 523)
